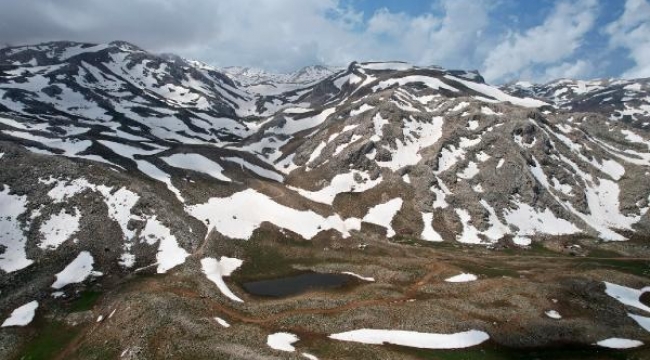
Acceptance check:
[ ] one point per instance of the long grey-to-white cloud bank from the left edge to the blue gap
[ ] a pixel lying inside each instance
(273, 34)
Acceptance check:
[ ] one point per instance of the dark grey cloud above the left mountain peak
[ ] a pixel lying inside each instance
(154, 24)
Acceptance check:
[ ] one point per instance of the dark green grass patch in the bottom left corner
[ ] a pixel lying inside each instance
(51, 338)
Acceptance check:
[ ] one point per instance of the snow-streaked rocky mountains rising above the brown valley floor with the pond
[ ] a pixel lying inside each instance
(118, 161)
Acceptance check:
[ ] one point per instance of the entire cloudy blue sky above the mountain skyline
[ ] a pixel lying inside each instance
(535, 40)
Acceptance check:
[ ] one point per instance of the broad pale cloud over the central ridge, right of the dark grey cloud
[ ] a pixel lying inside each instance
(302, 32)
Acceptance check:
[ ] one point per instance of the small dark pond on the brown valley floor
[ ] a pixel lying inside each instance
(297, 284)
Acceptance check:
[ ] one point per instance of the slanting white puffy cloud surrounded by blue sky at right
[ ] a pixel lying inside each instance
(554, 41)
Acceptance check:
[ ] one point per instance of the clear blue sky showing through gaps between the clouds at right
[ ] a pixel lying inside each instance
(517, 16)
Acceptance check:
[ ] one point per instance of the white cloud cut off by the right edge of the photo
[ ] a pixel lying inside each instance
(632, 31)
